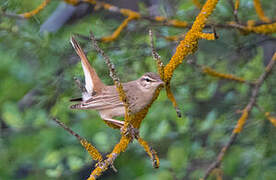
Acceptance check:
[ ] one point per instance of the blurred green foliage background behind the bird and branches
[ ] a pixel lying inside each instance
(36, 83)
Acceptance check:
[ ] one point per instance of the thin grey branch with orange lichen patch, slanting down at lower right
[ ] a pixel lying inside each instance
(243, 118)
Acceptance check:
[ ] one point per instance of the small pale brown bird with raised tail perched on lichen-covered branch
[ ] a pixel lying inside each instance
(105, 98)
